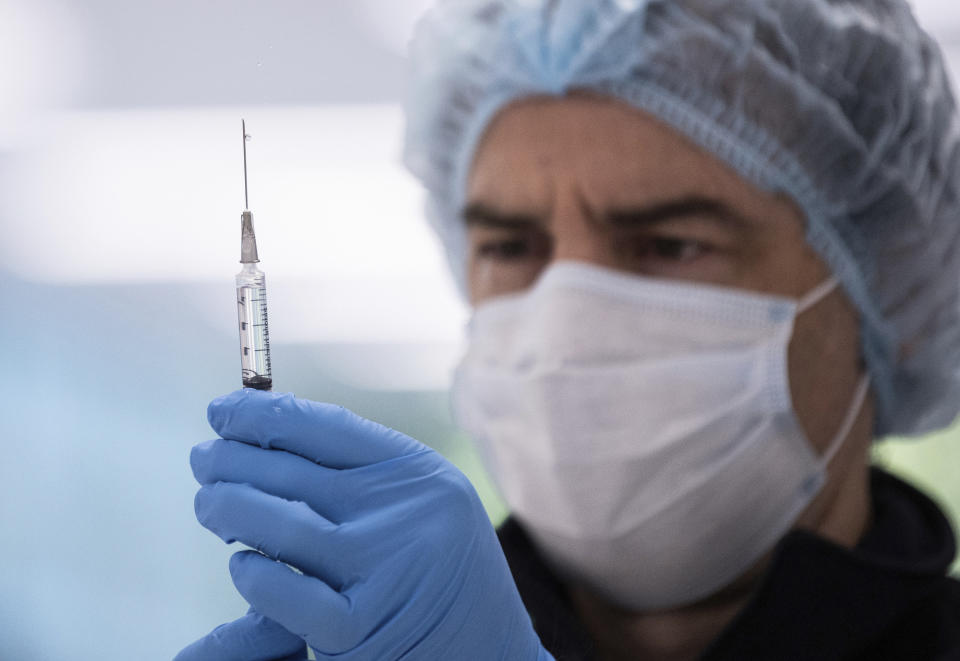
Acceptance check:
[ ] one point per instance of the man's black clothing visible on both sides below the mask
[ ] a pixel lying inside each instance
(888, 598)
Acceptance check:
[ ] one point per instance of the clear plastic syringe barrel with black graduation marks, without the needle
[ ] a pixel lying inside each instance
(254, 329)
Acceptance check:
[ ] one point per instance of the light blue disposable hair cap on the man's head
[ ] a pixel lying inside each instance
(843, 105)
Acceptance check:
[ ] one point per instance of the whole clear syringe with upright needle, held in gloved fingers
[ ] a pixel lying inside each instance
(252, 299)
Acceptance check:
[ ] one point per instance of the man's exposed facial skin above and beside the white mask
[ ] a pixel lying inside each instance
(594, 180)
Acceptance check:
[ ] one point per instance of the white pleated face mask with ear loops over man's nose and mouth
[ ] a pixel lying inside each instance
(642, 431)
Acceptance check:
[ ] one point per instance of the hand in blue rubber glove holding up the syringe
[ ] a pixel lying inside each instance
(397, 555)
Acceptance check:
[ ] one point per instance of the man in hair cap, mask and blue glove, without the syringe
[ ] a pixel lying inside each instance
(713, 250)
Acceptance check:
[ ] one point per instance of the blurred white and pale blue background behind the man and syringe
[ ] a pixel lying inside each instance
(121, 185)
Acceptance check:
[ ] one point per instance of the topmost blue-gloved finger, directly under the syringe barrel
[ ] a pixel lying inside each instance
(327, 434)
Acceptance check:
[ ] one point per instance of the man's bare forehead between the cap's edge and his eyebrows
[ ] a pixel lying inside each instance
(607, 153)
